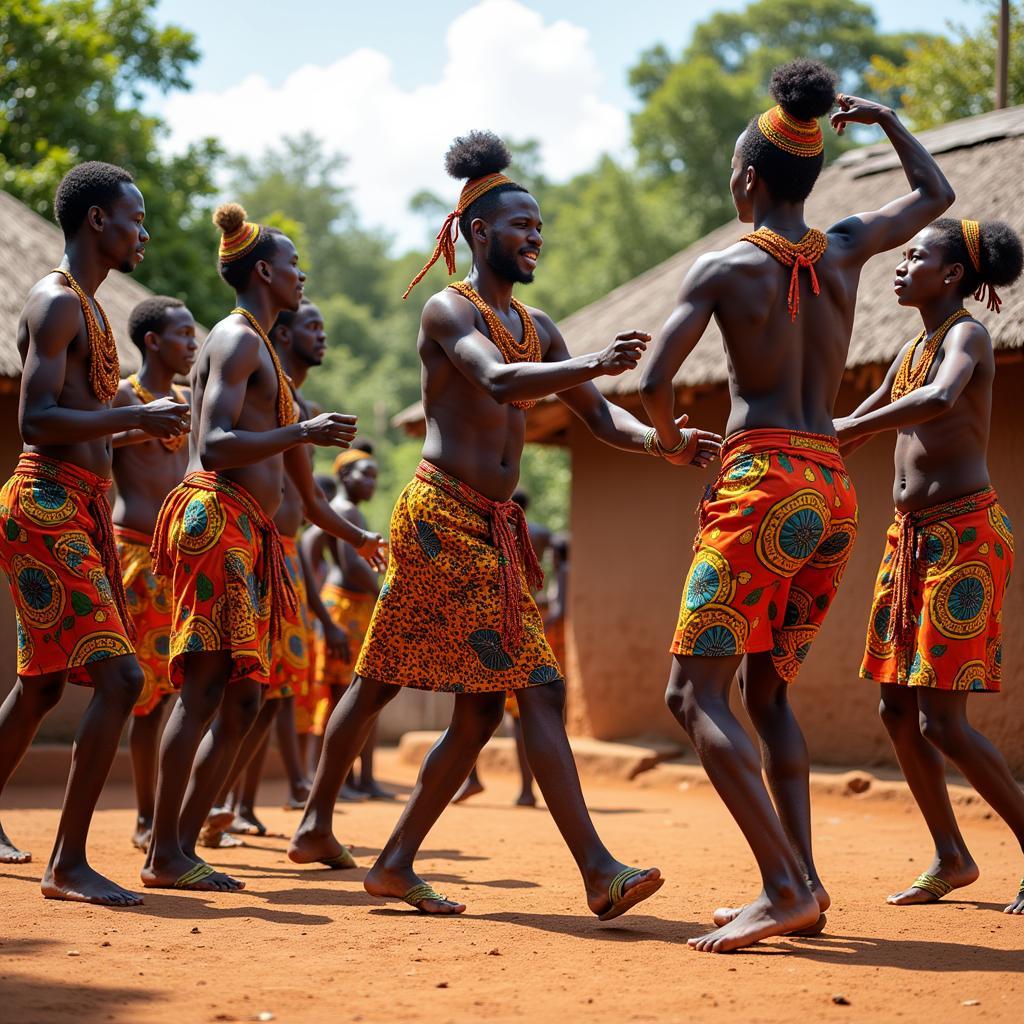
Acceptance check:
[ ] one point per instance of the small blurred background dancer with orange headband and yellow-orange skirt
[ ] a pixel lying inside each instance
(350, 593)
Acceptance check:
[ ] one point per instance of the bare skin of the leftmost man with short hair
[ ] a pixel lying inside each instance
(60, 417)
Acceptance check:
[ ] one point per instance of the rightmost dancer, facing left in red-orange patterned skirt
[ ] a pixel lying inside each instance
(935, 632)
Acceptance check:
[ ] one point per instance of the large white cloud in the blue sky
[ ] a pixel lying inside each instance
(506, 70)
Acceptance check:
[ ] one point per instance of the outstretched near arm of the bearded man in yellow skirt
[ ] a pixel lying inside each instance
(449, 320)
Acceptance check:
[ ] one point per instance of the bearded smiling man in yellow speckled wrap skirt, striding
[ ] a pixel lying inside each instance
(456, 612)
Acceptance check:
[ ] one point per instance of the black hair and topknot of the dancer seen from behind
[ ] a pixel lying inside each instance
(805, 90)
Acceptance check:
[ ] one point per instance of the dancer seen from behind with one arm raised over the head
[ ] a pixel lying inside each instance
(778, 528)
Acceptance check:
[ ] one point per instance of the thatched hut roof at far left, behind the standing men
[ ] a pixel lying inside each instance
(30, 247)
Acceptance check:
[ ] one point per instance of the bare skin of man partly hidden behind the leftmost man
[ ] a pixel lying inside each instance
(146, 473)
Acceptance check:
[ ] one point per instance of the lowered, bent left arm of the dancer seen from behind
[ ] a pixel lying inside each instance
(678, 338)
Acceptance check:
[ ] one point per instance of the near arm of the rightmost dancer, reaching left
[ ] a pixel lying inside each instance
(964, 350)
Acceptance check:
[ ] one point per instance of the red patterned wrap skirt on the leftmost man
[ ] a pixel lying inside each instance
(58, 550)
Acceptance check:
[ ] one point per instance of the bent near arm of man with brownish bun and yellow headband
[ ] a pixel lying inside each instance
(224, 446)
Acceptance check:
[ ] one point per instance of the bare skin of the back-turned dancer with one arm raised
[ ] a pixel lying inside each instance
(783, 374)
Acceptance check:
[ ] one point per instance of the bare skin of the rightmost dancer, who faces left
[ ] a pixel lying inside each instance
(942, 445)
